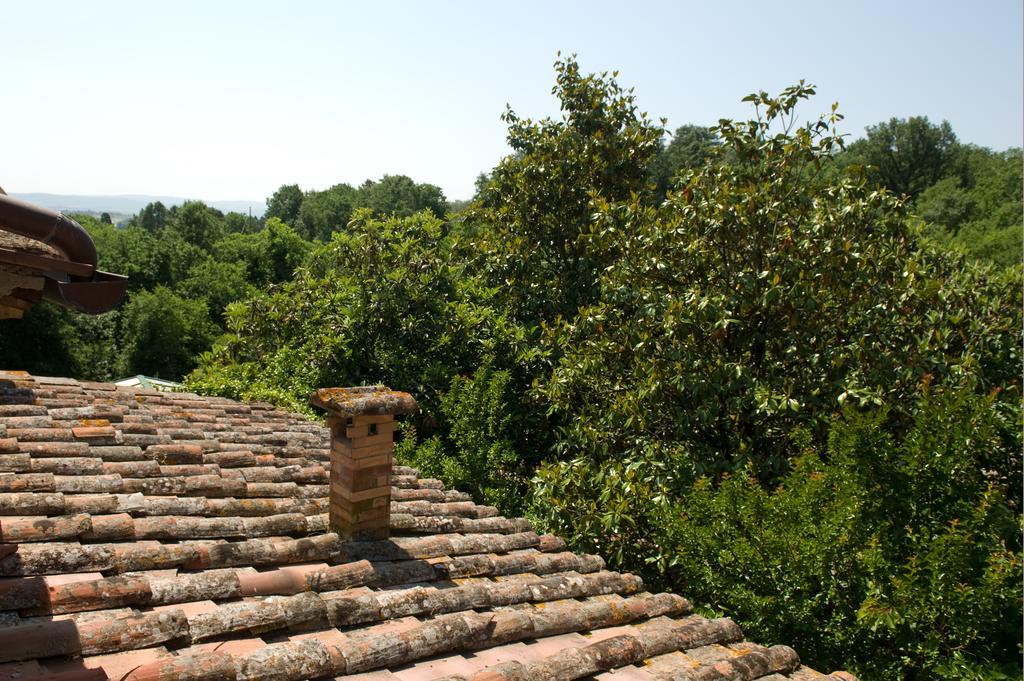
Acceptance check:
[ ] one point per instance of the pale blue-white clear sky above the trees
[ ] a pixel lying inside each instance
(224, 101)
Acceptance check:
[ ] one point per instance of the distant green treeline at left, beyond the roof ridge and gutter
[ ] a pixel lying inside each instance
(186, 266)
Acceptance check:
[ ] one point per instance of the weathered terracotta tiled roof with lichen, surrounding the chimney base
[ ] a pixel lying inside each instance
(148, 535)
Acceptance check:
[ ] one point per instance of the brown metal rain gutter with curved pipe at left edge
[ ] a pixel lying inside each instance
(76, 284)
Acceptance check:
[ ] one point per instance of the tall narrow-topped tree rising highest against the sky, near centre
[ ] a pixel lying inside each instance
(538, 202)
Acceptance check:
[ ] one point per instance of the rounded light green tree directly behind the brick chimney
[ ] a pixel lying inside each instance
(386, 302)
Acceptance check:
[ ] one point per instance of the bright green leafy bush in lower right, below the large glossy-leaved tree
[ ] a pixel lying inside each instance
(899, 558)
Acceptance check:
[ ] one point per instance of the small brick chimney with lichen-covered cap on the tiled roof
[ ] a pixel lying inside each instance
(362, 423)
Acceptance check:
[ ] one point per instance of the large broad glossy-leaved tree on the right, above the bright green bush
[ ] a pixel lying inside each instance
(759, 300)
